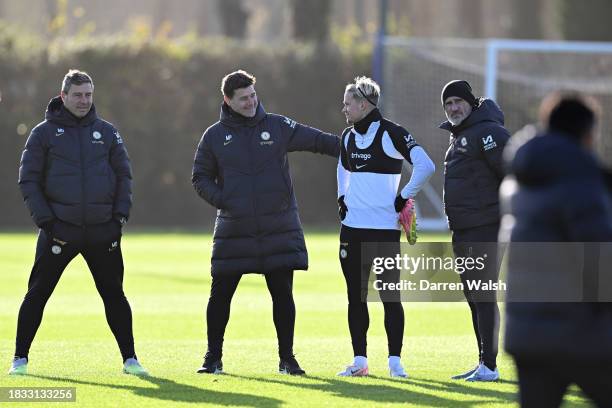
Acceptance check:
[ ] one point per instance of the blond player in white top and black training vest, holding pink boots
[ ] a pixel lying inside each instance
(373, 151)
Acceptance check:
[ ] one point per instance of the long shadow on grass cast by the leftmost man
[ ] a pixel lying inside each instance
(168, 390)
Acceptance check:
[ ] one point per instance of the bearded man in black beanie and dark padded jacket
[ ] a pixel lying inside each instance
(473, 171)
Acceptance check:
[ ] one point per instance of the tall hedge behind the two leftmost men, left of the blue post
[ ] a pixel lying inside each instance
(162, 94)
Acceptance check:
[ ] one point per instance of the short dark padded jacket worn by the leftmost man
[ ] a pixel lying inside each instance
(75, 170)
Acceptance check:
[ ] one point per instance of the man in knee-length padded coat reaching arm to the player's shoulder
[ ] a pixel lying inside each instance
(241, 168)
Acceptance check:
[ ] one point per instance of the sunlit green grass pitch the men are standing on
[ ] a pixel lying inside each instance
(167, 283)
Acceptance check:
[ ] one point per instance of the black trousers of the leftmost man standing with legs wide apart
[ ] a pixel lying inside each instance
(100, 246)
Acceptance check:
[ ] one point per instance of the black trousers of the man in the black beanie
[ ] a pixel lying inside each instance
(476, 242)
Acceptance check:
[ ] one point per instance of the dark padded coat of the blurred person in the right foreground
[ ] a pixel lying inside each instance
(555, 193)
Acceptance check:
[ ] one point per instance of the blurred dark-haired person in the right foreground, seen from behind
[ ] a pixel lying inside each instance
(556, 194)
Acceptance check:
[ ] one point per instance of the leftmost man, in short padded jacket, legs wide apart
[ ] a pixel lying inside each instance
(76, 181)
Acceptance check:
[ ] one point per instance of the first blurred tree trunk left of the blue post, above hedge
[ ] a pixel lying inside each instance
(311, 19)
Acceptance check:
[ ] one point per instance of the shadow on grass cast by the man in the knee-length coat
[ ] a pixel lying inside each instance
(402, 391)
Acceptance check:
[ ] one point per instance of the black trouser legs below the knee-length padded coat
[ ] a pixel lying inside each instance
(223, 287)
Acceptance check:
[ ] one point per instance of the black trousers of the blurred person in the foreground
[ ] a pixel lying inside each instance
(543, 384)
